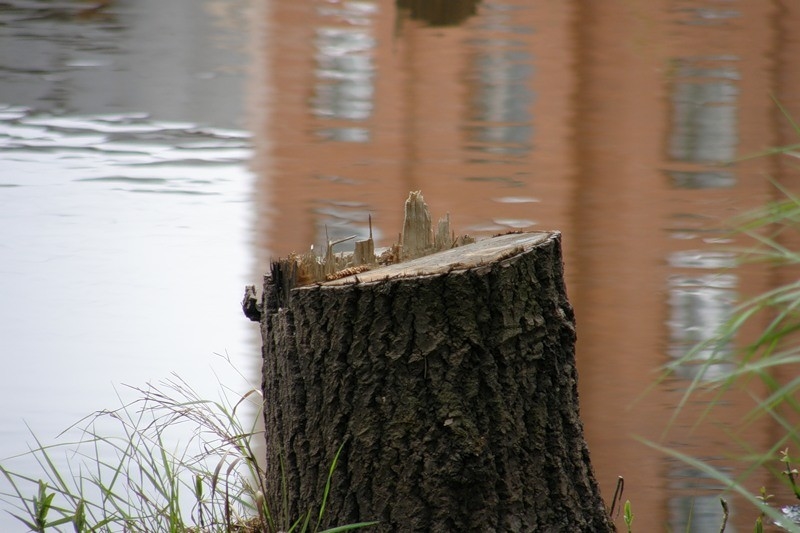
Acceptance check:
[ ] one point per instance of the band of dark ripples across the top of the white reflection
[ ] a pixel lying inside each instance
(167, 157)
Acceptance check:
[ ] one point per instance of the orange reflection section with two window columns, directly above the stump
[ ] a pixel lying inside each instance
(364, 108)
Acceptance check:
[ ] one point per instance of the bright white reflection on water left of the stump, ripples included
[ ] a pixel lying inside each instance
(100, 286)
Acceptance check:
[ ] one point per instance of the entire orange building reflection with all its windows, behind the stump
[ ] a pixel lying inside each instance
(603, 120)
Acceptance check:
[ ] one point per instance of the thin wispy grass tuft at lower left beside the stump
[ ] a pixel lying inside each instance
(128, 471)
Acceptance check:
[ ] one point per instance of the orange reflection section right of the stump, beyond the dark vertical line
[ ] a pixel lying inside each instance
(688, 87)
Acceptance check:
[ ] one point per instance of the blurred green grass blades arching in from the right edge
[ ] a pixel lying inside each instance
(771, 229)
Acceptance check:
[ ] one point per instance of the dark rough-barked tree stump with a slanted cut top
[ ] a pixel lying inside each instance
(449, 381)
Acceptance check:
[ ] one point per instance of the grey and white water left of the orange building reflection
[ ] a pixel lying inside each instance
(125, 208)
